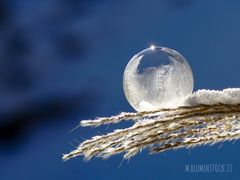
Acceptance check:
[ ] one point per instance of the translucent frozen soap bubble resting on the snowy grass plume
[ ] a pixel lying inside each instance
(157, 77)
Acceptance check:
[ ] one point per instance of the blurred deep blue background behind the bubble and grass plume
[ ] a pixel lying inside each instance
(62, 61)
